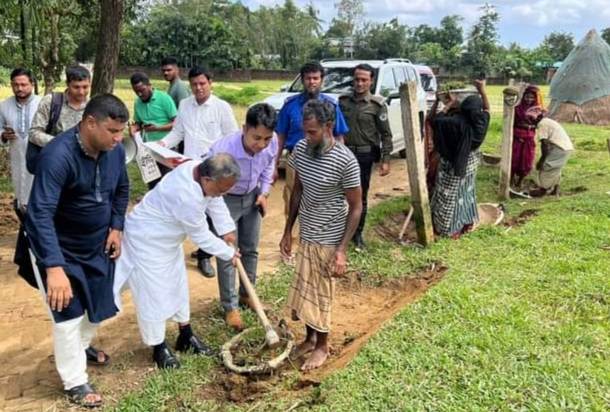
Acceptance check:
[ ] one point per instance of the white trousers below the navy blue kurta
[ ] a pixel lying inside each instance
(70, 339)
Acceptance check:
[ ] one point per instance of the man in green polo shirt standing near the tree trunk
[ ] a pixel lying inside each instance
(154, 110)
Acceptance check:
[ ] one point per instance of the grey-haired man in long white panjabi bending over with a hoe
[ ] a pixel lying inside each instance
(152, 261)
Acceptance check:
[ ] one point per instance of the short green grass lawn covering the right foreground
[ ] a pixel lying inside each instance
(521, 320)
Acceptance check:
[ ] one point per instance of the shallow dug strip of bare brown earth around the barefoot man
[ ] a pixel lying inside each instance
(361, 307)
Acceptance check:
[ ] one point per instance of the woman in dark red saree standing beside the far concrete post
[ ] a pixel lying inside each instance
(524, 134)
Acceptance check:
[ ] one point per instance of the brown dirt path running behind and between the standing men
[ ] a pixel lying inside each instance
(28, 380)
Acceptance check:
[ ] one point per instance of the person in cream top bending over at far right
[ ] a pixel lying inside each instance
(555, 147)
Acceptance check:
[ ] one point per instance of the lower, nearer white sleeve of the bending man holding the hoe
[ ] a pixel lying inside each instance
(196, 226)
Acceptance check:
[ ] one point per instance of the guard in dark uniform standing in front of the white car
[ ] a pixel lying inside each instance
(369, 136)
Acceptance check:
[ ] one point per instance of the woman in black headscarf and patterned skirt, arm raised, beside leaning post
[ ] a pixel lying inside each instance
(457, 139)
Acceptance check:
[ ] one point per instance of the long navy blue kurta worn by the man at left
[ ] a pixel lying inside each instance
(75, 201)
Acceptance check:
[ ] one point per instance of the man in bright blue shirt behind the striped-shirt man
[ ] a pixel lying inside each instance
(289, 127)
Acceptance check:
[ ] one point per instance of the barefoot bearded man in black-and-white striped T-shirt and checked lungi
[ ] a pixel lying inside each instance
(327, 199)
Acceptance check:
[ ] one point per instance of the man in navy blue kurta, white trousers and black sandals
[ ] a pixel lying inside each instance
(74, 223)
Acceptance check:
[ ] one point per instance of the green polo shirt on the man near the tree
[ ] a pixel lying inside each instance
(158, 110)
